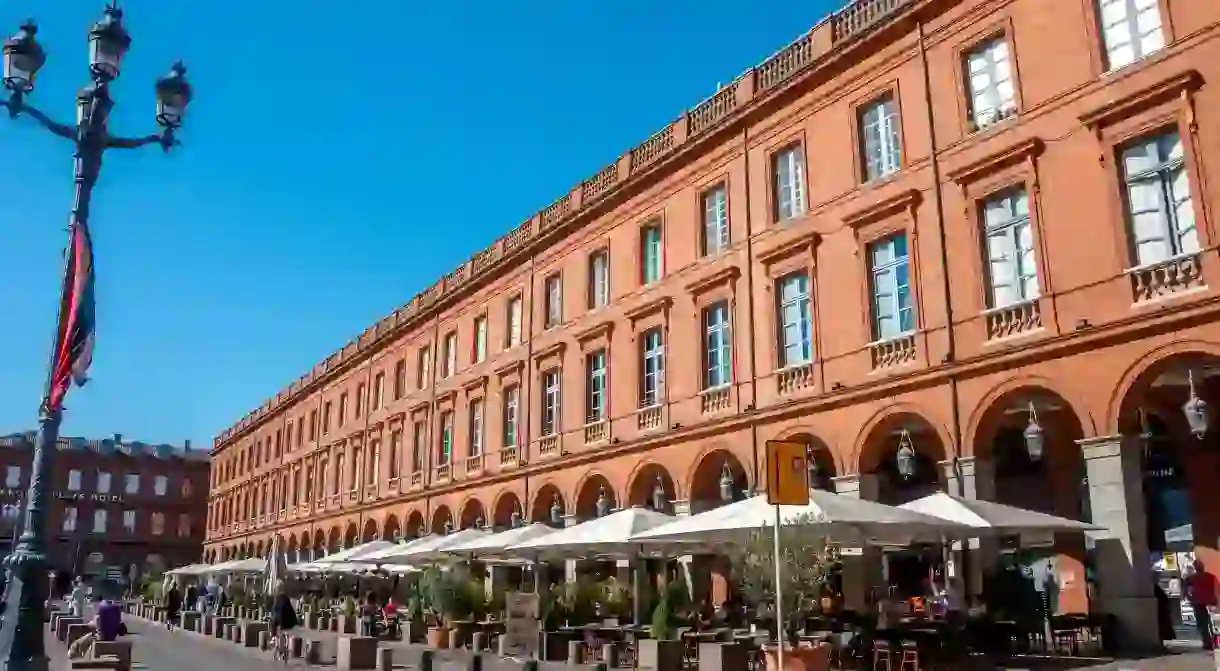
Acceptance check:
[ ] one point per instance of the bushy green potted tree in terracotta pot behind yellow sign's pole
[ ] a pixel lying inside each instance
(805, 567)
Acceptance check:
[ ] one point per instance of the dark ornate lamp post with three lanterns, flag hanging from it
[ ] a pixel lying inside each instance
(21, 634)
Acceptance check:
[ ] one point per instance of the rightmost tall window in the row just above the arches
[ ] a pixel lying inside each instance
(1158, 199)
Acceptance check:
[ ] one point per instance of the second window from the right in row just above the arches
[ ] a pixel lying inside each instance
(1012, 270)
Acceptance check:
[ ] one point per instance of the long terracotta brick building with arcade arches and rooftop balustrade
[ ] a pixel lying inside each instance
(908, 237)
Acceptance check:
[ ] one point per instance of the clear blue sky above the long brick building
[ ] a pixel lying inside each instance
(339, 158)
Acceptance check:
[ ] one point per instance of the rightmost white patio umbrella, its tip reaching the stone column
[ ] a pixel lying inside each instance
(992, 519)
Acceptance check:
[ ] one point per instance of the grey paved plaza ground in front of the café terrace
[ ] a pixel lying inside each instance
(157, 650)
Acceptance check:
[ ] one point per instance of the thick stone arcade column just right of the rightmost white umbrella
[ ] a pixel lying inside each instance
(1124, 579)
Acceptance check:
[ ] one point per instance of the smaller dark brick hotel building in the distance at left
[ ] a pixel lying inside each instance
(115, 504)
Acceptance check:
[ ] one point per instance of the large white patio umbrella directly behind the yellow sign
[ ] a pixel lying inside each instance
(842, 520)
